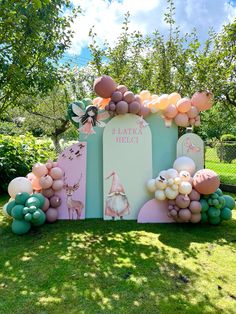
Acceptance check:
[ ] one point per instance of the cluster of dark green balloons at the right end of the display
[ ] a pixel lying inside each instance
(216, 207)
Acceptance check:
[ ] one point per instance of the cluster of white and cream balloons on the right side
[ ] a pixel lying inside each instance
(170, 183)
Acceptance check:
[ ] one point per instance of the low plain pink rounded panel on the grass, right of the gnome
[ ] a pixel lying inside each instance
(154, 211)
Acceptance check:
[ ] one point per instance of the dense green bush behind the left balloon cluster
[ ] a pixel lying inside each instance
(18, 154)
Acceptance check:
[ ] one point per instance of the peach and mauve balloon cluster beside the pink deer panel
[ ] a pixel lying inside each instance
(47, 178)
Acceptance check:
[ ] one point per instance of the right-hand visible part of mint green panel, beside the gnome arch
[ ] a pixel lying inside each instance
(163, 143)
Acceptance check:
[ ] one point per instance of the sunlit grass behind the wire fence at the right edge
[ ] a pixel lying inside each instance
(226, 171)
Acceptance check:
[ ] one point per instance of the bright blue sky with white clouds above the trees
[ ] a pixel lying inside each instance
(145, 15)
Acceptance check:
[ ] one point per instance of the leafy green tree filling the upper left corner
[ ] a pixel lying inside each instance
(33, 36)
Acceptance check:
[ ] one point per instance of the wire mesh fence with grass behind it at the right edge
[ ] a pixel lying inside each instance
(221, 157)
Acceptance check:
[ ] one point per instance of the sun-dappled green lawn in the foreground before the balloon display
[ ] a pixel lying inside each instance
(93, 266)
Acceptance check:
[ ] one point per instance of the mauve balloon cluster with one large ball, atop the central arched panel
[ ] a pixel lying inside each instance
(117, 99)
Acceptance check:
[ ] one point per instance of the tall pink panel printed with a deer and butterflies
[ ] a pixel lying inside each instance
(73, 162)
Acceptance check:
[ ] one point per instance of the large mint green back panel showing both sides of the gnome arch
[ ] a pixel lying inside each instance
(163, 155)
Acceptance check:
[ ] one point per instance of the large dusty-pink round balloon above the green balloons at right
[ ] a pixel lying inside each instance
(206, 181)
